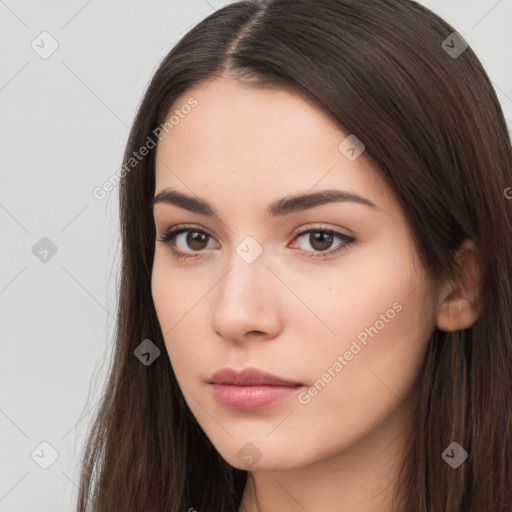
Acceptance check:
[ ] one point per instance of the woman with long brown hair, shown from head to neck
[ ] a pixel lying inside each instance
(316, 272)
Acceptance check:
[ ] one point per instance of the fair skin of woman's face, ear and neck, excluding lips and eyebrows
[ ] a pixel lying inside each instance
(287, 312)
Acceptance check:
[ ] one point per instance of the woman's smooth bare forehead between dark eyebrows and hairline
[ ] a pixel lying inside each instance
(248, 141)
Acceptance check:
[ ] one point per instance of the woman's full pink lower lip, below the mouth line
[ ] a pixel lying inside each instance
(250, 398)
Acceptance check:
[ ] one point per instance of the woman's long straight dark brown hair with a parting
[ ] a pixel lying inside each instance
(433, 124)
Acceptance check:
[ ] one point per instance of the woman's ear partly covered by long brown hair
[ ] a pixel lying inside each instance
(459, 303)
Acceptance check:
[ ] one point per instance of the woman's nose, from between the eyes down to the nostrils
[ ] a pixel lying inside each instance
(247, 301)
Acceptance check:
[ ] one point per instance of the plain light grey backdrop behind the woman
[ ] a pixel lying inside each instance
(64, 122)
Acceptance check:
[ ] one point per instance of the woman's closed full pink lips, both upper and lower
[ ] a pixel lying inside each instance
(250, 390)
